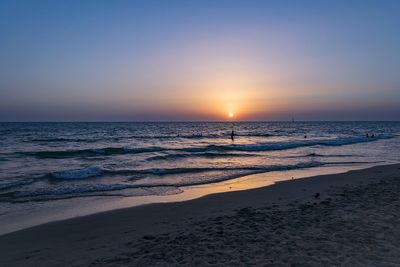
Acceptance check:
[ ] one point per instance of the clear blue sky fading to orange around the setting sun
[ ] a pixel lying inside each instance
(199, 60)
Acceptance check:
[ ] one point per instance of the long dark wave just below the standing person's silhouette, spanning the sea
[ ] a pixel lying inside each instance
(257, 147)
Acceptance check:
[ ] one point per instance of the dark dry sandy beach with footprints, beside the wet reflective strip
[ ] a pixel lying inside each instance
(348, 219)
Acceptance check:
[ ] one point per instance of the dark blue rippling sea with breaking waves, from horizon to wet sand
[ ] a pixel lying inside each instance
(53, 161)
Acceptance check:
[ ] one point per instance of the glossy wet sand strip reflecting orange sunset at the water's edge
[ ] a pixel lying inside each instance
(28, 215)
